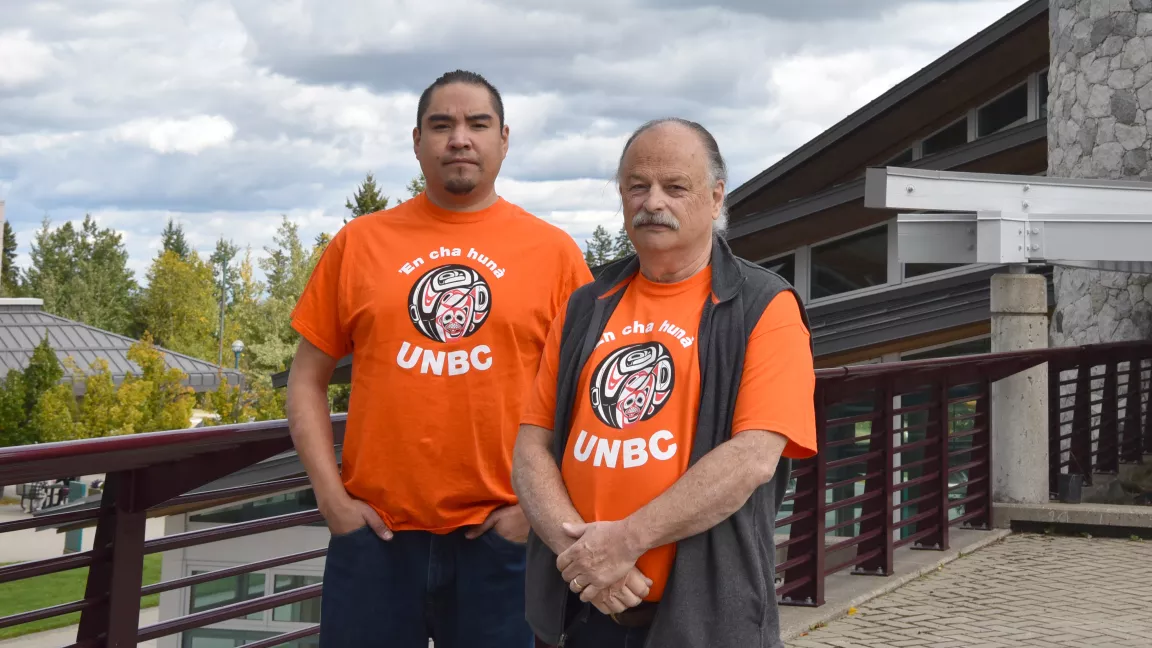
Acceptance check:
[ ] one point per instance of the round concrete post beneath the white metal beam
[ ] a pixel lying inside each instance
(1020, 413)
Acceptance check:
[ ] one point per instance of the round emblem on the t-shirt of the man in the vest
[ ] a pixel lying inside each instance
(633, 385)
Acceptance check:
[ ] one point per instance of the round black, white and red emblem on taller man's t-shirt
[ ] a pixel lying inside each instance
(450, 303)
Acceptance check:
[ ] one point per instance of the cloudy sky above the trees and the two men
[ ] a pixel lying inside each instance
(226, 114)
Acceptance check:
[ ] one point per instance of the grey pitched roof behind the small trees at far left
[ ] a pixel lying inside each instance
(24, 326)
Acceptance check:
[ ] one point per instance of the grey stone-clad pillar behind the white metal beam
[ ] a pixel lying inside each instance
(1101, 127)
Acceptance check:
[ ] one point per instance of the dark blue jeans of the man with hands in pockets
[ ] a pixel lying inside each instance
(420, 586)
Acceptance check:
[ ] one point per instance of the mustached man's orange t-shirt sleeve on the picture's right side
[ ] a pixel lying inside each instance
(779, 382)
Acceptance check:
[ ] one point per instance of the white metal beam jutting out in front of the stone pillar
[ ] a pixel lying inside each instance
(1015, 218)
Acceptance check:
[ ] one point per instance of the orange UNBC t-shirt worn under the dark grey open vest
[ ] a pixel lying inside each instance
(635, 417)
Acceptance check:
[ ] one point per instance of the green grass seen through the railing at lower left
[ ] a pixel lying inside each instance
(54, 590)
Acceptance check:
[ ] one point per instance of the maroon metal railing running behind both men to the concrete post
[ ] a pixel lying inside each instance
(905, 457)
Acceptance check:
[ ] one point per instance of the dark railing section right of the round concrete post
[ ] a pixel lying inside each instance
(1100, 410)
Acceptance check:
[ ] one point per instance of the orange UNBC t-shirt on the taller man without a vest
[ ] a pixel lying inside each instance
(448, 315)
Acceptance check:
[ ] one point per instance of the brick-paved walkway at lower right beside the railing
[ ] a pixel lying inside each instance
(1027, 591)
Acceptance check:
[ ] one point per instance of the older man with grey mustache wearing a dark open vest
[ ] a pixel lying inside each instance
(669, 391)
